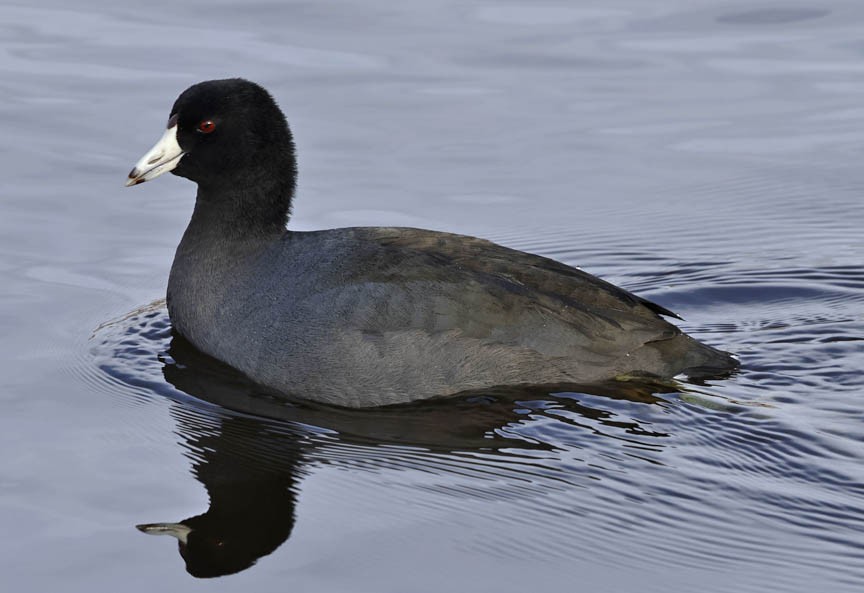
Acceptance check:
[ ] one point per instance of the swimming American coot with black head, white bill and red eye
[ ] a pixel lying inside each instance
(372, 316)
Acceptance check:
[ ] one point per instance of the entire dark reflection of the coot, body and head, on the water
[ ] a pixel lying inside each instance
(250, 449)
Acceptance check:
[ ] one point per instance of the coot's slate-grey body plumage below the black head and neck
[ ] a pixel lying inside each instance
(377, 316)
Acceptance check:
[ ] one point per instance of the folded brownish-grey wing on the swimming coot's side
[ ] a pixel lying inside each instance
(397, 279)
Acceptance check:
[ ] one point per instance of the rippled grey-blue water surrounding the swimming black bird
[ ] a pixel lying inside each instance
(706, 155)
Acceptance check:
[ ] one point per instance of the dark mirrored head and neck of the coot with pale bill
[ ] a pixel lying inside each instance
(249, 474)
